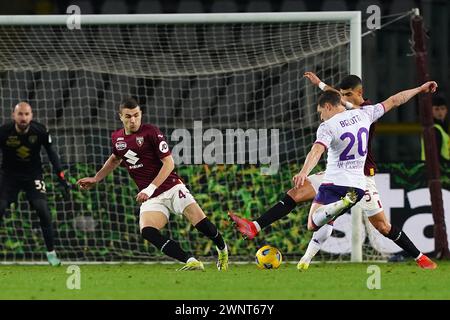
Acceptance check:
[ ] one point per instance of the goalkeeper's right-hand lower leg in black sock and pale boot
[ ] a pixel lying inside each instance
(41, 207)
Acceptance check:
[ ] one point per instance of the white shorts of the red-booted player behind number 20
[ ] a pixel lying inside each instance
(370, 204)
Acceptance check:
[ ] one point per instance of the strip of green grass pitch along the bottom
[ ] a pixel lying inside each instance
(163, 282)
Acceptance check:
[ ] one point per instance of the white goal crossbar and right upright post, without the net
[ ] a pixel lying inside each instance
(354, 18)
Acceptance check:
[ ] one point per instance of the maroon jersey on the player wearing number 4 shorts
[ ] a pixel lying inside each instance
(141, 153)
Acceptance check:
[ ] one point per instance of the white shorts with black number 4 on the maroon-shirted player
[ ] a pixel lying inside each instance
(174, 200)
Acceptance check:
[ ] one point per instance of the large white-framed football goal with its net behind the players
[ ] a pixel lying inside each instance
(206, 80)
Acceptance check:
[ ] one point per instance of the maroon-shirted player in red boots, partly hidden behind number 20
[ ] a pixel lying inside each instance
(352, 93)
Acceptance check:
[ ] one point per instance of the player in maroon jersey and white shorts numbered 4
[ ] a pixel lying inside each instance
(143, 150)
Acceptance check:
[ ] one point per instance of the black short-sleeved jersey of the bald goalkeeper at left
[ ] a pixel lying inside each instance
(21, 153)
